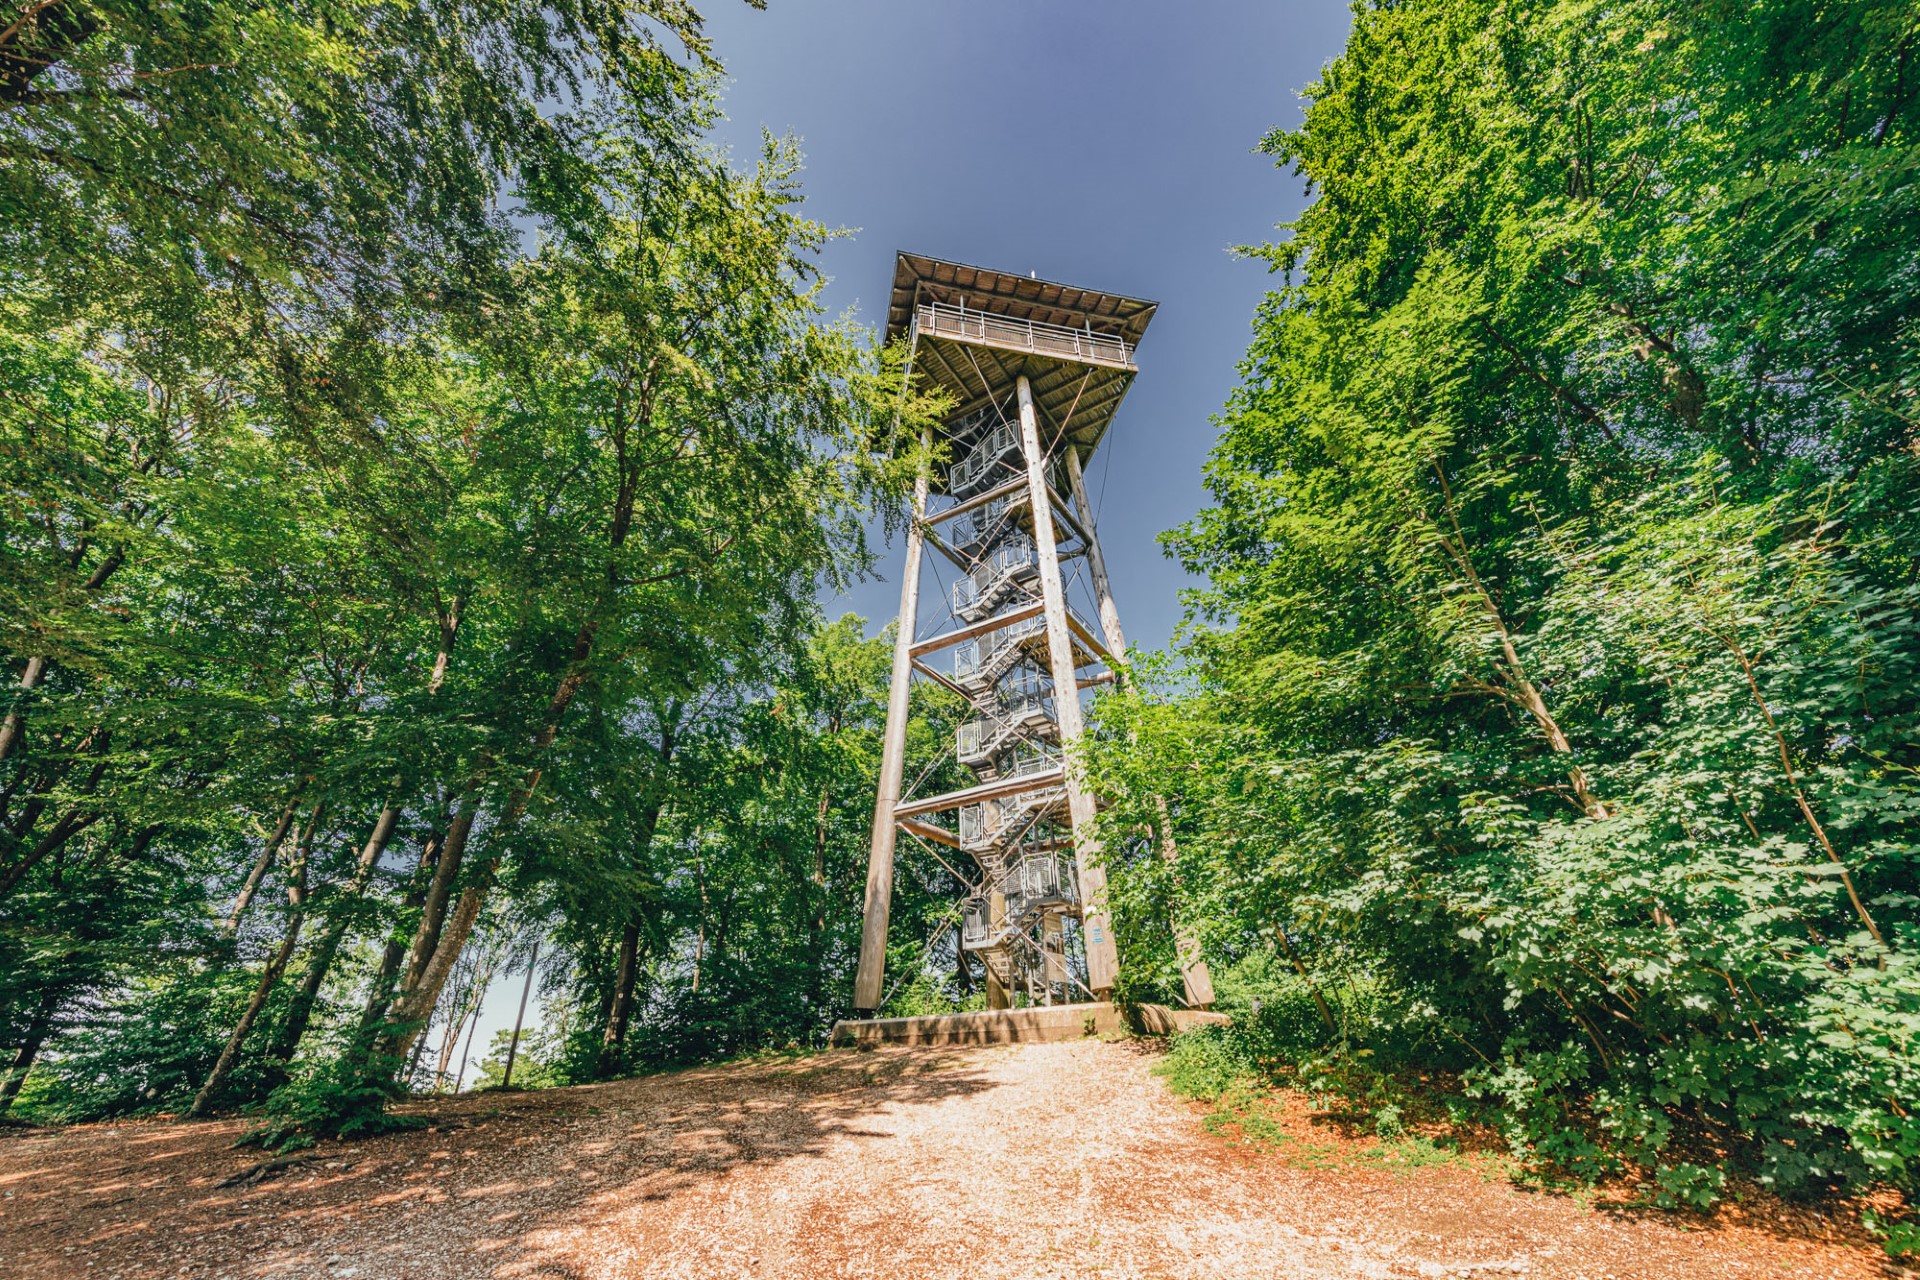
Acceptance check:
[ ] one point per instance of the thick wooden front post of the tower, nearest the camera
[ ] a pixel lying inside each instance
(1103, 959)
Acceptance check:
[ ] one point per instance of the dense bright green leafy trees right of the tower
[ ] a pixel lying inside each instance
(1552, 707)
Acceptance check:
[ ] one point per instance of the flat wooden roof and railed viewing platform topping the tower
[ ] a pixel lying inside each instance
(978, 331)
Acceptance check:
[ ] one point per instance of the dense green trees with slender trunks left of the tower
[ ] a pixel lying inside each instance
(423, 458)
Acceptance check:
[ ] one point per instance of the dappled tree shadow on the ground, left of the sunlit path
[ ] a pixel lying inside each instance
(471, 1197)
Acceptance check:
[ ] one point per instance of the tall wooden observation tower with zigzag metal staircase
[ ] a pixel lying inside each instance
(1038, 371)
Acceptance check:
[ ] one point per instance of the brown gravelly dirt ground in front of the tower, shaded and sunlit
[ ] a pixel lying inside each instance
(1019, 1162)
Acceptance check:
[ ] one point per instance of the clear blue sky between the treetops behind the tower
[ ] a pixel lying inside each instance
(1103, 143)
